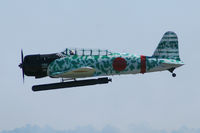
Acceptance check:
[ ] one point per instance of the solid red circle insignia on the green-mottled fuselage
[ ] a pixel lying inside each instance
(119, 64)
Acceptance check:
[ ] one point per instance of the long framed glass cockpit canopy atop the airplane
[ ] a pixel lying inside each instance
(75, 51)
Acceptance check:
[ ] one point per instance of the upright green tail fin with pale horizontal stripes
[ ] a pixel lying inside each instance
(168, 47)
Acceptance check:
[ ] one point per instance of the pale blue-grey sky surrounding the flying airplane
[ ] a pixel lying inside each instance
(155, 100)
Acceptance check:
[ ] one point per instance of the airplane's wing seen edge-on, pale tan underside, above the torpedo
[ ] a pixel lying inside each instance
(76, 73)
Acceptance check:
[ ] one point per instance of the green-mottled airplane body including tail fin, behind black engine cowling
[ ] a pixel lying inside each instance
(165, 57)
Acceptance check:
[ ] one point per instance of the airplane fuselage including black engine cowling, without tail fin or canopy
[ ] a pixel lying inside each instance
(73, 65)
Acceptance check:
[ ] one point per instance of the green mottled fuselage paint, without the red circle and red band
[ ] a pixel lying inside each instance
(103, 64)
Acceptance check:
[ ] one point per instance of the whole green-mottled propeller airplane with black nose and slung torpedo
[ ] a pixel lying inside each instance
(71, 64)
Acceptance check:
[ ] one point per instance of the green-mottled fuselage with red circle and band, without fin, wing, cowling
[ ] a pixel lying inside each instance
(113, 64)
